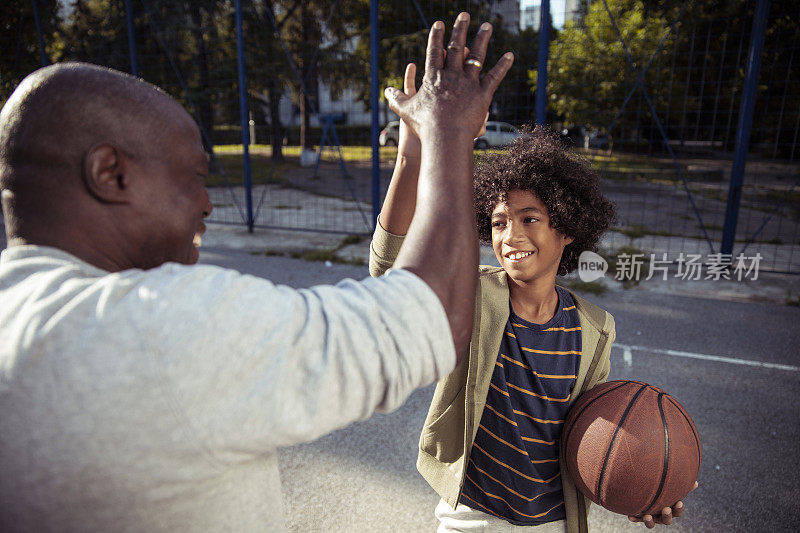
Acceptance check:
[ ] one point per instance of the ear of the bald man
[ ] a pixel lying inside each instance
(104, 174)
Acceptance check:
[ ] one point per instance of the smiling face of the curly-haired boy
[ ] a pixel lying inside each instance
(525, 244)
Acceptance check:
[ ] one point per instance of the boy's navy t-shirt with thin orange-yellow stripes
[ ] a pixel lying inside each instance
(513, 470)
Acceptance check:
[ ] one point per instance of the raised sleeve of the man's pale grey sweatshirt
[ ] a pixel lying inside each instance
(254, 366)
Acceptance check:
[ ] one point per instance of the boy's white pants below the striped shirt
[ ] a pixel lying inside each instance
(467, 520)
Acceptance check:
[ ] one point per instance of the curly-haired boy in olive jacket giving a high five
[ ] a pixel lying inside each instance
(489, 446)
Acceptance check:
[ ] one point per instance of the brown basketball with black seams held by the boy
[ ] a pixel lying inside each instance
(631, 448)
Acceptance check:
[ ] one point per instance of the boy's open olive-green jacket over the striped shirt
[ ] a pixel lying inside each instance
(459, 399)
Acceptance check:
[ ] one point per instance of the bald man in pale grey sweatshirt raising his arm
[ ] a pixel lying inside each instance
(139, 392)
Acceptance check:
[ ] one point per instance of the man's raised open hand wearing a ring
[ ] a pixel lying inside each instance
(452, 100)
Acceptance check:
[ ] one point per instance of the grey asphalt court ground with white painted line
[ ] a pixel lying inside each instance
(733, 365)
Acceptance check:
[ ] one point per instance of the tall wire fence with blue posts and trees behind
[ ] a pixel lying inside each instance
(656, 94)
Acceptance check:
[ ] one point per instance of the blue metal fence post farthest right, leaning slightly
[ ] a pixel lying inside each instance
(745, 124)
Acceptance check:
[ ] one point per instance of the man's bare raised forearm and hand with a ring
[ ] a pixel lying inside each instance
(441, 244)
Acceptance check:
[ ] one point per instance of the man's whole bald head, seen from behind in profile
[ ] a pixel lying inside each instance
(102, 165)
